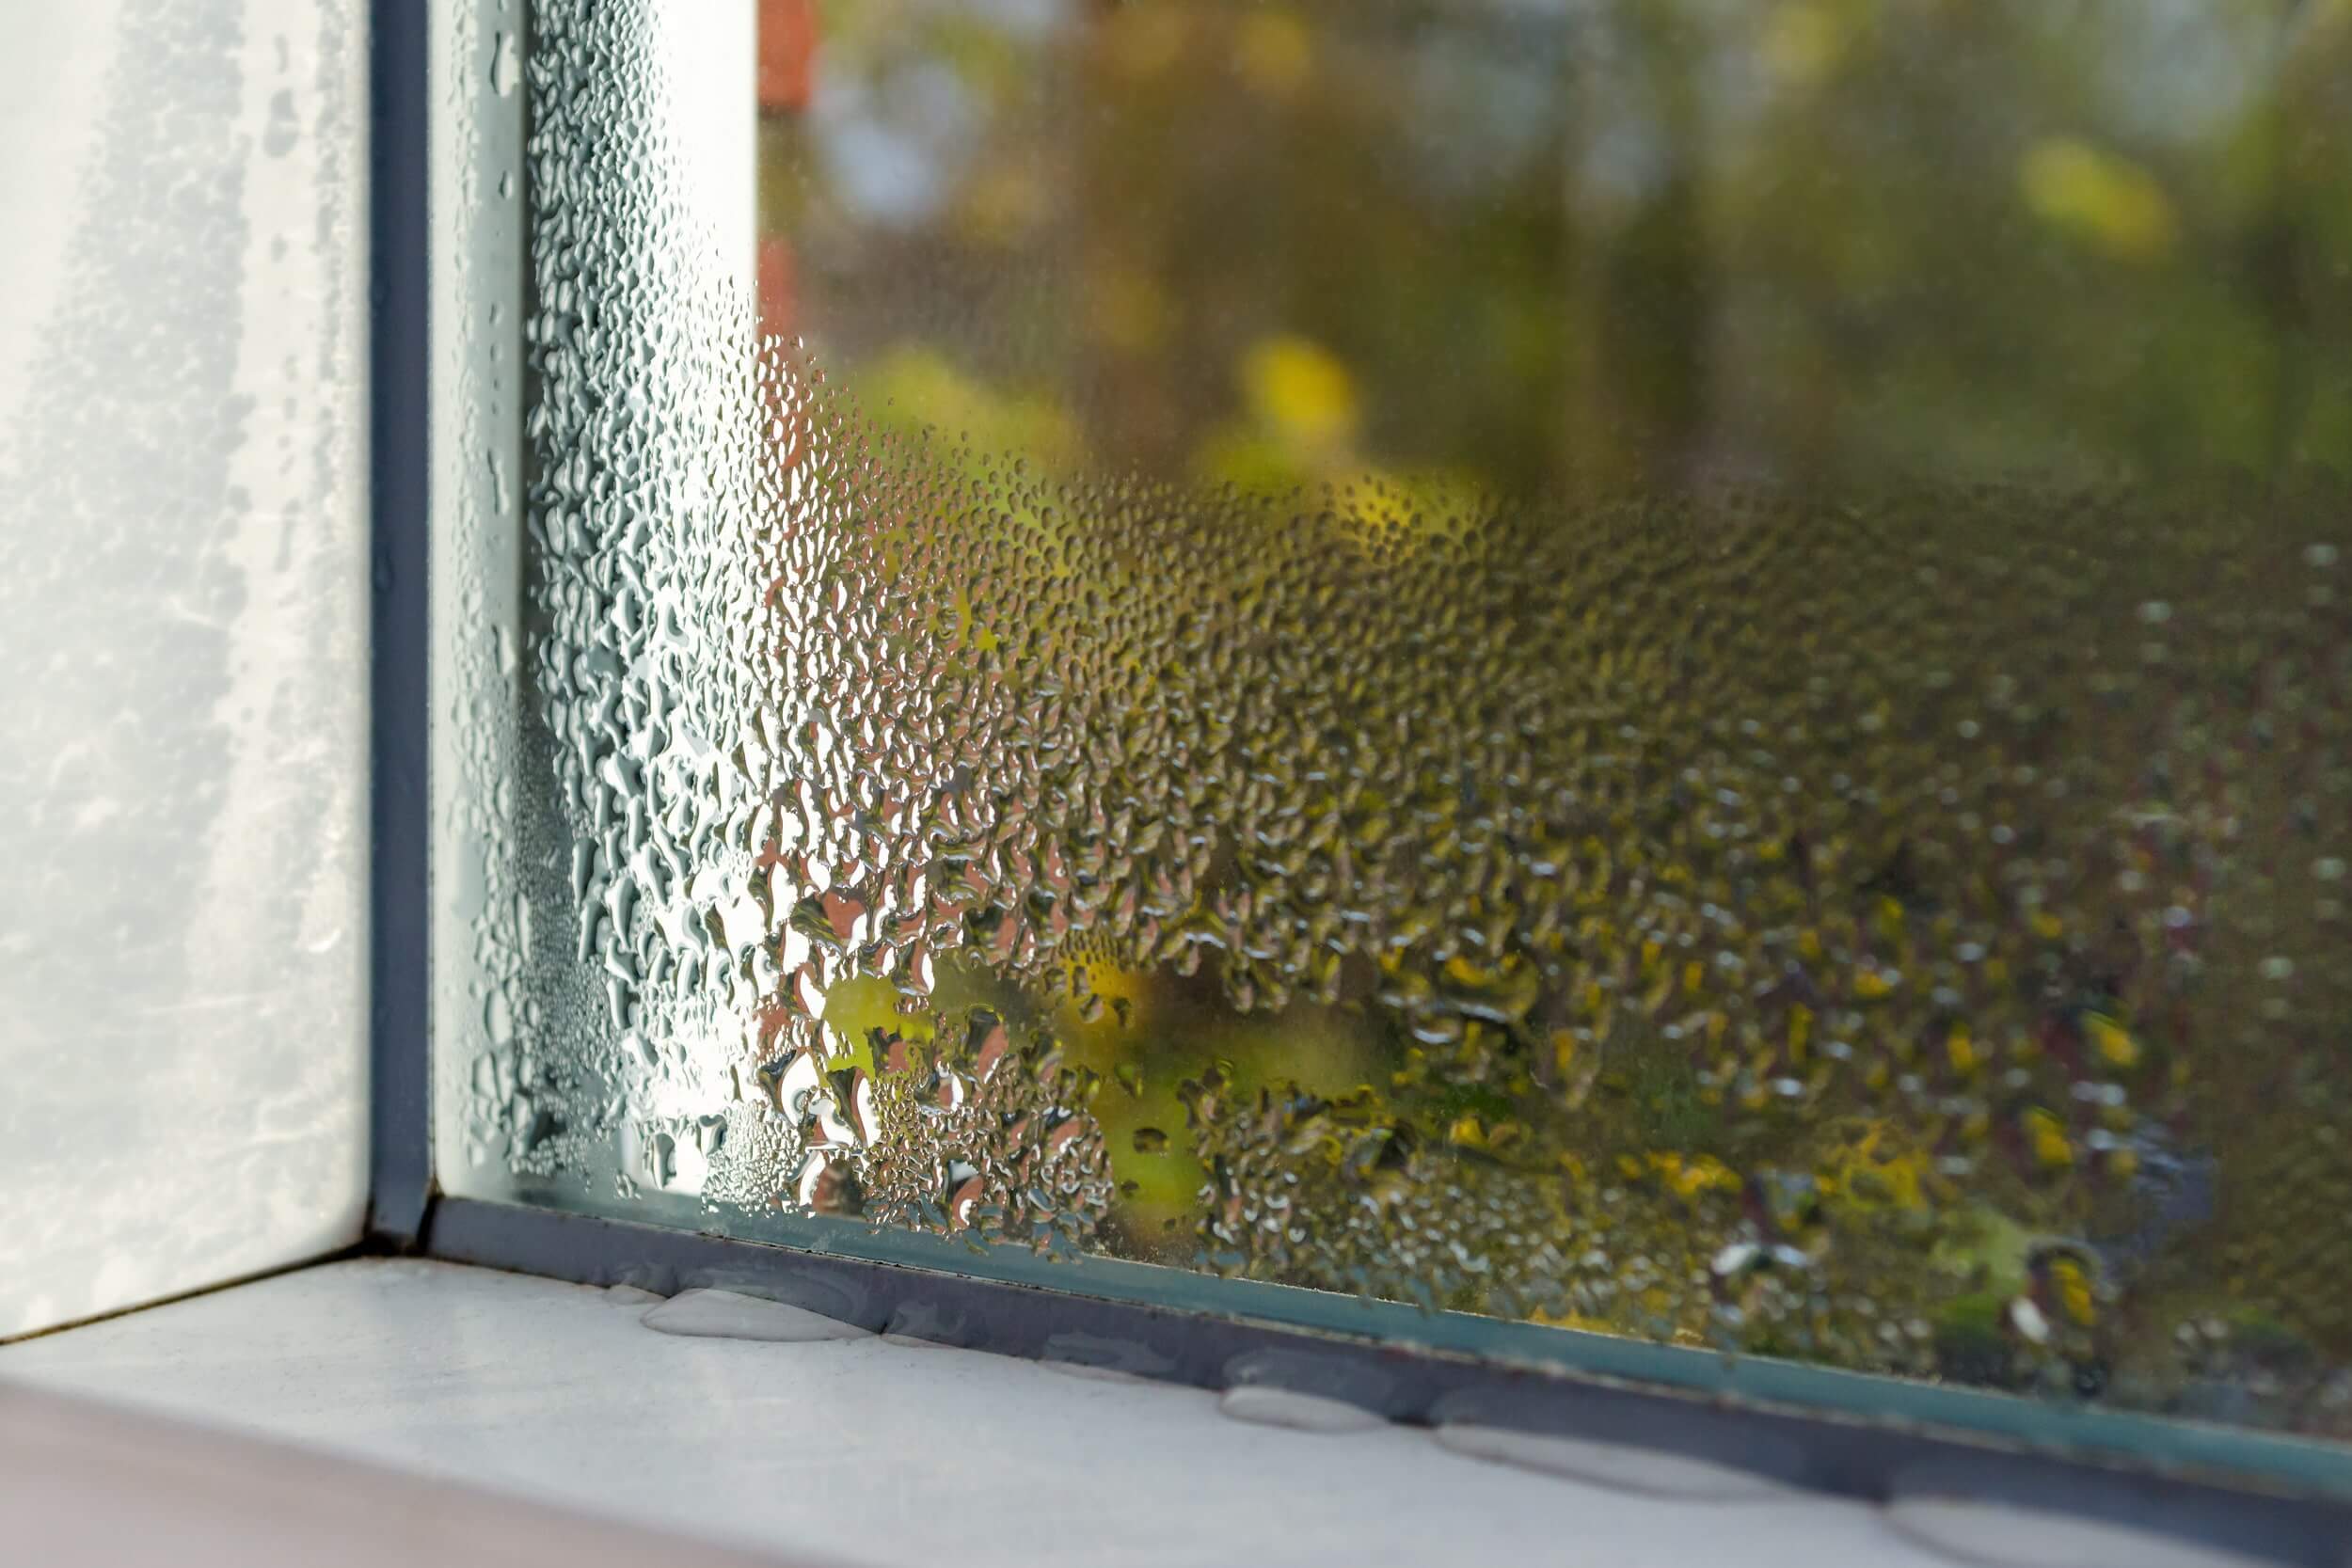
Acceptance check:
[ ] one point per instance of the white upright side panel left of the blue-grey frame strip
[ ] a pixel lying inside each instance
(185, 657)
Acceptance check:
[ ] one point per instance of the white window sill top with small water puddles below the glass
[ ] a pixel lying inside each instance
(860, 1452)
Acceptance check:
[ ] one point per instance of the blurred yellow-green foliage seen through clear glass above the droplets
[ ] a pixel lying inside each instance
(1542, 243)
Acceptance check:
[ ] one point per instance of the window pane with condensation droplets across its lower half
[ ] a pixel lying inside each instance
(1643, 664)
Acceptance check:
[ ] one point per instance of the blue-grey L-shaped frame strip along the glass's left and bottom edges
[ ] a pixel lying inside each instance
(441, 272)
